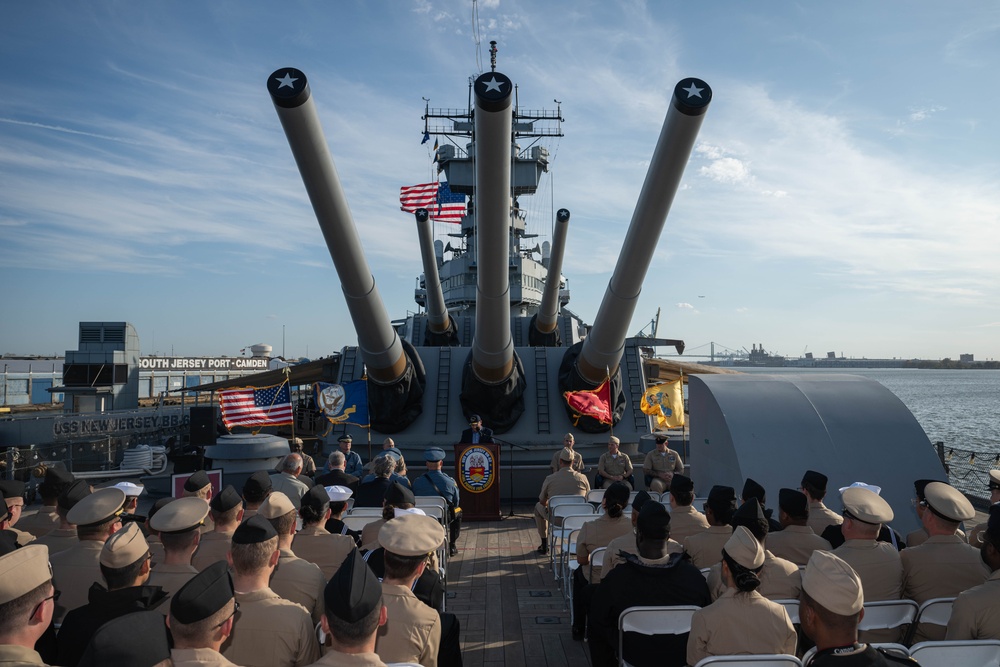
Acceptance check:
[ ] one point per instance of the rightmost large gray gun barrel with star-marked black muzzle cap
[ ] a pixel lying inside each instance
(587, 364)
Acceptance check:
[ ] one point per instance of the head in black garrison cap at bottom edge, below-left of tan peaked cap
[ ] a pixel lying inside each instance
(354, 613)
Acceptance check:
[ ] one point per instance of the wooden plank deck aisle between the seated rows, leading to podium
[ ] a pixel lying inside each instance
(510, 607)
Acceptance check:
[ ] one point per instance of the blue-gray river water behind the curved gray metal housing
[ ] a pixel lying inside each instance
(958, 407)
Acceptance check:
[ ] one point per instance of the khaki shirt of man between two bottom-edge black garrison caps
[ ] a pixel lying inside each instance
(270, 631)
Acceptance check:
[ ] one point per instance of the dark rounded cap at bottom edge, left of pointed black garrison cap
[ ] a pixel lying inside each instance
(138, 639)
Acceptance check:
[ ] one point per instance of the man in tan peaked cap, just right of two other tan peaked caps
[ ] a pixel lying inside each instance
(178, 524)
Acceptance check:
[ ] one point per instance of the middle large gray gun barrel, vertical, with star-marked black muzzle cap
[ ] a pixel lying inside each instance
(493, 382)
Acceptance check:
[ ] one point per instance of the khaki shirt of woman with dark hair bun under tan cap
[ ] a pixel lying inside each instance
(739, 624)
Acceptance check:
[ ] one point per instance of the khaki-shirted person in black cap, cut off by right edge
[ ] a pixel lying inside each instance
(976, 612)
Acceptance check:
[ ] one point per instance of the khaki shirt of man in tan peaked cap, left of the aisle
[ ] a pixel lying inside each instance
(412, 632)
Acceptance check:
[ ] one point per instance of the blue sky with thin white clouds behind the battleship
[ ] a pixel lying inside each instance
(843, 194)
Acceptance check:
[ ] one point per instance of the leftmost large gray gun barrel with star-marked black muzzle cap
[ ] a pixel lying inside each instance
(395, 373)
